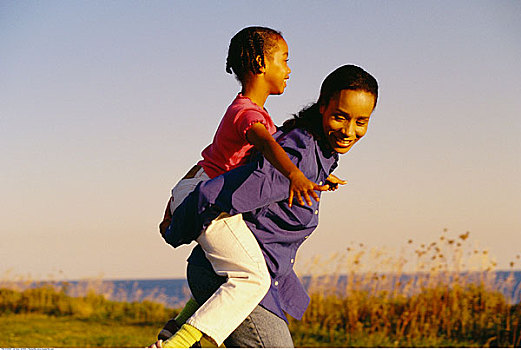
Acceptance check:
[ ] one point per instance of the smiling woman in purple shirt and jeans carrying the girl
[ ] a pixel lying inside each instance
(254, 197)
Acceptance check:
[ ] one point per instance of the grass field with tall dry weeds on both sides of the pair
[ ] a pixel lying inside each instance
(351, 306)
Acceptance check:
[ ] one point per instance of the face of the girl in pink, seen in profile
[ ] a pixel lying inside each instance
(276, 69)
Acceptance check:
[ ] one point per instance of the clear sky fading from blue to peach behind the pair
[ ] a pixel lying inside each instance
(105, 105)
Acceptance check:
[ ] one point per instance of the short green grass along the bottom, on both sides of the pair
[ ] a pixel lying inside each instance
(33, 330)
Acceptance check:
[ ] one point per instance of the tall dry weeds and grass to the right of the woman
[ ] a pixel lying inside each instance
(442, 294)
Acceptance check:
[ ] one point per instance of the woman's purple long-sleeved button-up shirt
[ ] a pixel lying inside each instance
(260, 193)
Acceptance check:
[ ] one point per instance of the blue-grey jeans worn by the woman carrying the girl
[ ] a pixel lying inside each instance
(261, 329)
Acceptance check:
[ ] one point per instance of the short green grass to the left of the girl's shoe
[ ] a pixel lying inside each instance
(33, 330)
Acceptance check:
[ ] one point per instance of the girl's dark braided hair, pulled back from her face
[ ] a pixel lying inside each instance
(246, 46)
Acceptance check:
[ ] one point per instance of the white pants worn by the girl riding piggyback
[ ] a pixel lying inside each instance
(233, 251)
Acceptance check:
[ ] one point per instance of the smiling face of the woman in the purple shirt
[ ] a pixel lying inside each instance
(345, 118)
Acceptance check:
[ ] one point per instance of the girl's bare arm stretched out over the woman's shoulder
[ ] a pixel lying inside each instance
(300, 186)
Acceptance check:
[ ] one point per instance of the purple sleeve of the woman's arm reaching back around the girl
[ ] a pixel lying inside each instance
(241, 190)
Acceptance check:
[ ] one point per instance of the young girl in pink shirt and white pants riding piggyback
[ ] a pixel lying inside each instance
(258, 57)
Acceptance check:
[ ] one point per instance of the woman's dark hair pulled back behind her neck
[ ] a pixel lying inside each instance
(347, 77)
